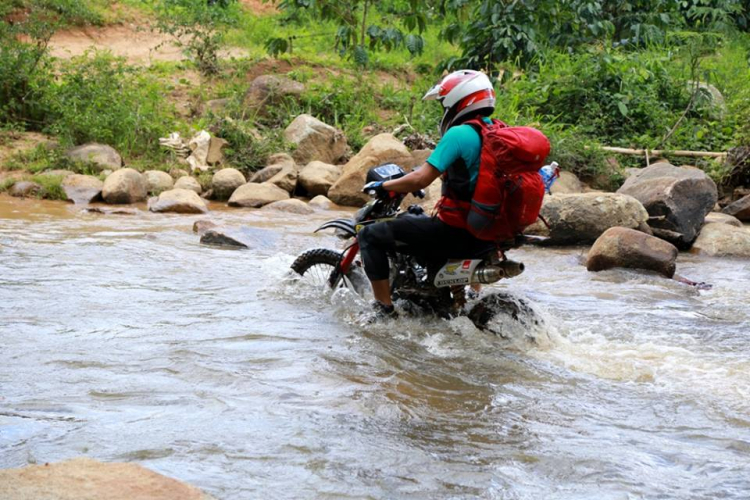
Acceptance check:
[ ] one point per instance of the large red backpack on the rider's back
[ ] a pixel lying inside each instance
(509, 190)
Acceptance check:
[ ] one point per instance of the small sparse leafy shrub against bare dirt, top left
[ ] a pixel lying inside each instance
(199, 27)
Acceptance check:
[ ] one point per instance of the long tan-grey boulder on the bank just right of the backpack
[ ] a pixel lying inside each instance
(582, 218)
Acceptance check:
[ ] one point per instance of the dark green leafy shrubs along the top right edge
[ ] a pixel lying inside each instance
(491, 32)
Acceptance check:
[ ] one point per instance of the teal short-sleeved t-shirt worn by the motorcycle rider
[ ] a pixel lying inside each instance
(461, 141)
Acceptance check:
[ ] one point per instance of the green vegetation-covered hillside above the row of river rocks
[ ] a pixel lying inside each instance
(647, 74)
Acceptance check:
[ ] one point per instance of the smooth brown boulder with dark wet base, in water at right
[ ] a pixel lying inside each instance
(623, 247)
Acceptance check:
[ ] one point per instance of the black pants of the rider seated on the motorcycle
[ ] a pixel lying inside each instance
(426, 237)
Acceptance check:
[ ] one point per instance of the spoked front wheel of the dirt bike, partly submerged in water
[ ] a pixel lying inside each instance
(320, 267)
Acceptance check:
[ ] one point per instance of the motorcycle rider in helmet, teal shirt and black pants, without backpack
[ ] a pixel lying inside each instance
(464, 95)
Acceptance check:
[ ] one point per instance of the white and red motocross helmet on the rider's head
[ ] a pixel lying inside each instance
(462, 93)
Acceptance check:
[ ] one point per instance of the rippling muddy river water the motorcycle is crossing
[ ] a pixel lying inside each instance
(123, 339)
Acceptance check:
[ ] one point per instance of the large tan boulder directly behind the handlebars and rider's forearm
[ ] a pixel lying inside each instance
(383, 148)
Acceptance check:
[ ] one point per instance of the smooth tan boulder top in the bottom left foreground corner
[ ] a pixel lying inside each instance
(86, 479)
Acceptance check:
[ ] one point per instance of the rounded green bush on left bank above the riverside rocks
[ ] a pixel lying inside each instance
(100, 99)
